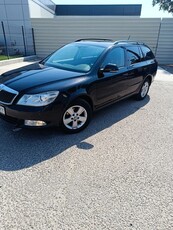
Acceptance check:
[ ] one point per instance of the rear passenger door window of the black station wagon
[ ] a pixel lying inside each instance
(133, 55)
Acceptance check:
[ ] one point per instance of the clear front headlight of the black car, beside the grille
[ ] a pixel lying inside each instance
(40, 99)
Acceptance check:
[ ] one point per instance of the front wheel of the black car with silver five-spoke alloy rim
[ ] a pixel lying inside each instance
(76, 116)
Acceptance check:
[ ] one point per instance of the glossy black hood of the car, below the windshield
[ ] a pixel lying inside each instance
(38, 76)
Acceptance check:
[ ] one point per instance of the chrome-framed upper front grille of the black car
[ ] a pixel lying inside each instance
(7, 95)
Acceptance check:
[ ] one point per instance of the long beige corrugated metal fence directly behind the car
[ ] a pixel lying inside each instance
(52, 33)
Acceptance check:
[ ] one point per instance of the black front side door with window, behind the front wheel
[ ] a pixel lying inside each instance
(112, 85)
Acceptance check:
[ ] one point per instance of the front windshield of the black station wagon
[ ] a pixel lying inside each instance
(75, 57)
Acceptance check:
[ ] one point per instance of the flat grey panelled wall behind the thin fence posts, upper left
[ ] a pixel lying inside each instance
(14, 14)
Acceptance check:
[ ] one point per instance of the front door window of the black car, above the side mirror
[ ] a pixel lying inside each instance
(116, 57)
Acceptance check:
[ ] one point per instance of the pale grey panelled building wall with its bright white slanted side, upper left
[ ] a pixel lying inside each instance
(17, 13)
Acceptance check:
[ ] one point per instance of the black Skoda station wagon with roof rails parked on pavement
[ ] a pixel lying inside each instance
(65, 88)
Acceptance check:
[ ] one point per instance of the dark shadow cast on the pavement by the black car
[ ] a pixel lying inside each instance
(28, 147)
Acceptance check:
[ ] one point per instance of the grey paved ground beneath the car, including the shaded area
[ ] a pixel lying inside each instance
(117, 174)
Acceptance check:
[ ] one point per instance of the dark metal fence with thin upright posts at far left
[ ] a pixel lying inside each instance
(16, 41)
